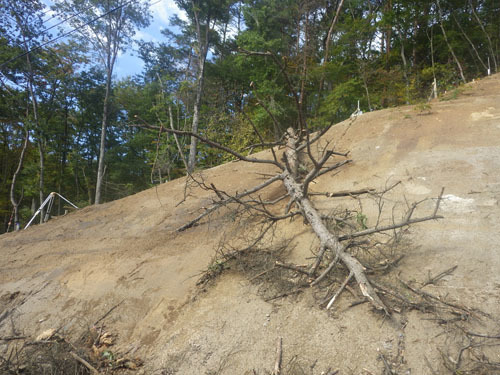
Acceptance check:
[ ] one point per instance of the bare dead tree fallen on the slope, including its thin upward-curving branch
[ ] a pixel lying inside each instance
(298, 145)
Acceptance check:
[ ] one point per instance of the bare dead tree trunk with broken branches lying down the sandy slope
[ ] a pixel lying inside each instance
(297, 188)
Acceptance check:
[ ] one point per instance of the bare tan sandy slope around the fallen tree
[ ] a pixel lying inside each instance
(127, 256)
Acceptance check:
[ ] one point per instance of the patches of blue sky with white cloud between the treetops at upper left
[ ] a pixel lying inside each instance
(128, 63)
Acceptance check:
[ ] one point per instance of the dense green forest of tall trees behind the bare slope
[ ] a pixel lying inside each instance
(237, 72)
